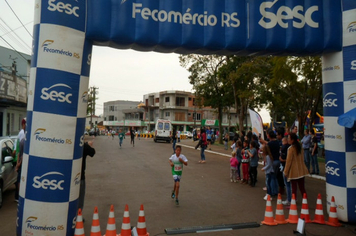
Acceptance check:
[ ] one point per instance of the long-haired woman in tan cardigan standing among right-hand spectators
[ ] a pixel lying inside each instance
(295, 169)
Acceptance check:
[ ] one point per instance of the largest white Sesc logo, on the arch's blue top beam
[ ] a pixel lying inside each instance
(284, 14)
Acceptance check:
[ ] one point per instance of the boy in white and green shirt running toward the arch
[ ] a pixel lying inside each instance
(176, 161)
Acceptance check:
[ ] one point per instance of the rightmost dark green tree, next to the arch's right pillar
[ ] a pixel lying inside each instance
(297, 87)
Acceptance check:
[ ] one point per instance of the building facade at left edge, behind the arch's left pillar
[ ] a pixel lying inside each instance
(14, 78)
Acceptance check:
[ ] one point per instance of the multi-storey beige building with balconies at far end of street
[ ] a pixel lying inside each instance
(179, 107)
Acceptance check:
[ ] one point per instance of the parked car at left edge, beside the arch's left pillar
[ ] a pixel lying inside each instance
(8, 174)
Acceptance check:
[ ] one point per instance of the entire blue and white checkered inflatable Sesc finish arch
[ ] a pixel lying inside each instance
(66, 30)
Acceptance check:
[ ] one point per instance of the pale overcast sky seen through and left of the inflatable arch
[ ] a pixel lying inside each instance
(118, 74)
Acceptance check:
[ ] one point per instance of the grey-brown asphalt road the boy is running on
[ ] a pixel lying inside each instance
(142, 175)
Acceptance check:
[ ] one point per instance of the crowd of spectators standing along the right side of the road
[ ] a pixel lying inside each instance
(286, 160)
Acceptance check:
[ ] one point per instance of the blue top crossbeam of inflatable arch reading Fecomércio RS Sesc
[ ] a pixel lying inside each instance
(302, 27)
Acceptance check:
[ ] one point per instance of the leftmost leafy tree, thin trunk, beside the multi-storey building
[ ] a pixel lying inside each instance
(206, 81)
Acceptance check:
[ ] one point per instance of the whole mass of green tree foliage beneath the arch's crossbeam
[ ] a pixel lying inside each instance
(288, 86)
